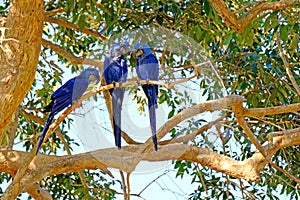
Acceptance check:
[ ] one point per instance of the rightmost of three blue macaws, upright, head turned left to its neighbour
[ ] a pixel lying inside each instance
(147, 69)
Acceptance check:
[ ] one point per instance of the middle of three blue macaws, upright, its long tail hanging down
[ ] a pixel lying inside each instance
(116, 70)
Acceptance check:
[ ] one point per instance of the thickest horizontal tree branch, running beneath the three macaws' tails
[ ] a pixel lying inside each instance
(45, 165)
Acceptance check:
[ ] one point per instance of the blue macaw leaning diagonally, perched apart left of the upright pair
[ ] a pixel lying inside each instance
(72, 90)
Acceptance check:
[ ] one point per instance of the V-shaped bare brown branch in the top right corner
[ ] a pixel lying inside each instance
(238, 24)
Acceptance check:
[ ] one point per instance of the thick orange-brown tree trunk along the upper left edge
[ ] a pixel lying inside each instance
(19, 56)
